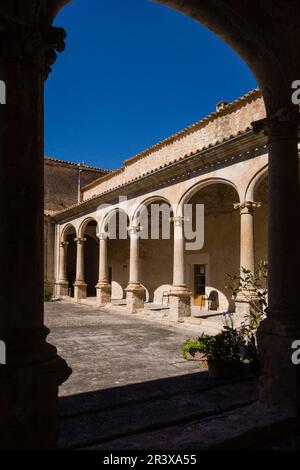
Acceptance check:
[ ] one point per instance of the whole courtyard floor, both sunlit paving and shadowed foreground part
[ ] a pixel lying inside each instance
(130, 387)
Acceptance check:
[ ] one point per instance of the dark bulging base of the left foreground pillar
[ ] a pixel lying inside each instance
(29, 392)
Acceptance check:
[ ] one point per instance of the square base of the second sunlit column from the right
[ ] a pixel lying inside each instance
(180, 303)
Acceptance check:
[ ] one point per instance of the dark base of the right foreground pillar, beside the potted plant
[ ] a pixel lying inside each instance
(280, 377)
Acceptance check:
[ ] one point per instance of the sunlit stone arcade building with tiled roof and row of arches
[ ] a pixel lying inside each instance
(219, 163)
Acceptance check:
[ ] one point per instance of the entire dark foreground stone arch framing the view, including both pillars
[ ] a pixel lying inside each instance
(28, 52)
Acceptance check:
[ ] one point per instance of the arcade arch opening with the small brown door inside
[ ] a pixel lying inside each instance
(207, 268)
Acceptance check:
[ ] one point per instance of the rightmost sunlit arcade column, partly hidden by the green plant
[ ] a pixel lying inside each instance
(247, 252)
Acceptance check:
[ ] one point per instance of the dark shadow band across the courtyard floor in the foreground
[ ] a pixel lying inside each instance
(103, 416)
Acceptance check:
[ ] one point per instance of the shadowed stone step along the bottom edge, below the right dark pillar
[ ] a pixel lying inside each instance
(253, 426)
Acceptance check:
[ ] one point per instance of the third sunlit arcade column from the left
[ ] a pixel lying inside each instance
(103, 287)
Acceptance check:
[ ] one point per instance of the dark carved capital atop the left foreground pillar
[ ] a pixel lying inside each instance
(30, 42)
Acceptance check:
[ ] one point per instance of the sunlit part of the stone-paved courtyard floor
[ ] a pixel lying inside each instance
(107, 348)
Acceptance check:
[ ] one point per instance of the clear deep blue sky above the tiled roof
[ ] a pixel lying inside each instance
(133, 73)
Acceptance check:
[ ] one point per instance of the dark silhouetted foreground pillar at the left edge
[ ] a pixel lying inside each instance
(33, 370)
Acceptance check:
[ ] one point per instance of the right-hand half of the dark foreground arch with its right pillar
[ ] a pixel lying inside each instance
(273, 59)
